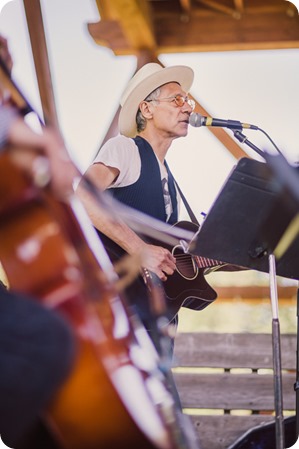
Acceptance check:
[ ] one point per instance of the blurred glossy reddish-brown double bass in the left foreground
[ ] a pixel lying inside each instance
(115, 395)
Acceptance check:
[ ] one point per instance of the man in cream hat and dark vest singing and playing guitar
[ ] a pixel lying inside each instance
(132, 167)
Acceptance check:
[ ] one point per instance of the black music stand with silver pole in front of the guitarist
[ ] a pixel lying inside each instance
(245, 227)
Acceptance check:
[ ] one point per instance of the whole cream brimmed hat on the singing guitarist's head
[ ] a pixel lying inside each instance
(148, 78)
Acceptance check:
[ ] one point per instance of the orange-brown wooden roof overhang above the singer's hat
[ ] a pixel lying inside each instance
(167, 26)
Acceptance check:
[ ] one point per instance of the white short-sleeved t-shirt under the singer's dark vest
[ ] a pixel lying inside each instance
(122, 153)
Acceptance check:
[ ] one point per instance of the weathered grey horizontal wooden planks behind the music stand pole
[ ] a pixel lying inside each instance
(225, 382)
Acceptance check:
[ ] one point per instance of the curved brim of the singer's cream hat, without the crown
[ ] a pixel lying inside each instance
(127, 118)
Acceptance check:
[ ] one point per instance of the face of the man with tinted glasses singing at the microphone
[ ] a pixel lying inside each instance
(169, 119)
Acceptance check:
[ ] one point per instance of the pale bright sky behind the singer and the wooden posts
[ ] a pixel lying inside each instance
(258, 87)
